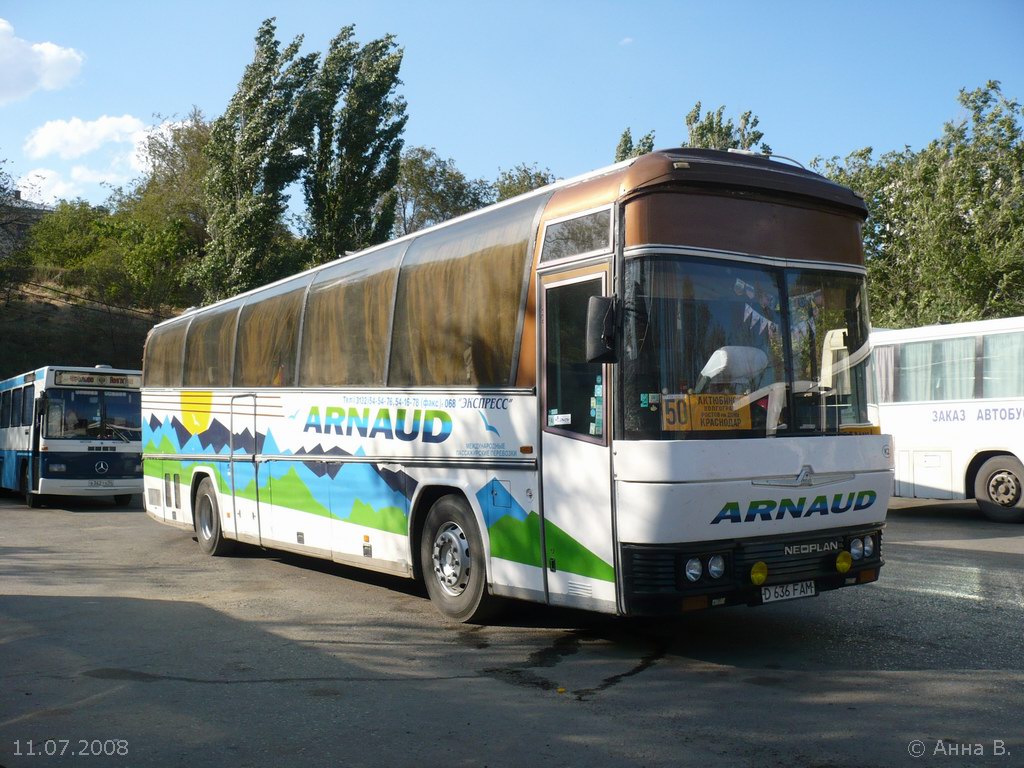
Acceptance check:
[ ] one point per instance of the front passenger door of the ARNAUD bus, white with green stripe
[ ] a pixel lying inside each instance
(576, 456)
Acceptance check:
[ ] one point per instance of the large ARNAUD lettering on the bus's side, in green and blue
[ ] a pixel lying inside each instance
(405, 424)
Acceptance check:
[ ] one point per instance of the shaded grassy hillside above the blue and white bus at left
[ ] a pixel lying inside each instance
(38, 332)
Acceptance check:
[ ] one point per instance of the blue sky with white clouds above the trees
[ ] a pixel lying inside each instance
(492, 86)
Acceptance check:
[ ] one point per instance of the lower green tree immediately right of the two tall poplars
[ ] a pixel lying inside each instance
(432, 191)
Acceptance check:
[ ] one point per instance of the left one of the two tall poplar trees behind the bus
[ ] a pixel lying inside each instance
(255, 153)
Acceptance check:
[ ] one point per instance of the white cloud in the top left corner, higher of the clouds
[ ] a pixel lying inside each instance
(28, 67)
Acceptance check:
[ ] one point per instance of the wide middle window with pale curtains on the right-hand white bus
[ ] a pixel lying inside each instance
(936, 370)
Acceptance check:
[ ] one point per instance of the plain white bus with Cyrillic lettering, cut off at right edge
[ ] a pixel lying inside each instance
(953, 399)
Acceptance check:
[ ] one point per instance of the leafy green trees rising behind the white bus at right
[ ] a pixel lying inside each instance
(945, 240)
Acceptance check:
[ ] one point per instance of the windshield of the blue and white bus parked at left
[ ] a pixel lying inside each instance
(93, 414)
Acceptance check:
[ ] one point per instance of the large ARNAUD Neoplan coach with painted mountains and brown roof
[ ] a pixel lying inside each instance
(606, 395)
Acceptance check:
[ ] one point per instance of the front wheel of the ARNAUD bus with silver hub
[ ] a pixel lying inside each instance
(452, 561)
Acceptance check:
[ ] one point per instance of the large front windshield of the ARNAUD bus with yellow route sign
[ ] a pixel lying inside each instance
(718, 350)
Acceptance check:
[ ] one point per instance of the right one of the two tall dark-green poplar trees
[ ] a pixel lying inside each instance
(356, 147)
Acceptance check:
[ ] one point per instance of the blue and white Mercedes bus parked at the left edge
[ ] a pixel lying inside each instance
(72, 432)
